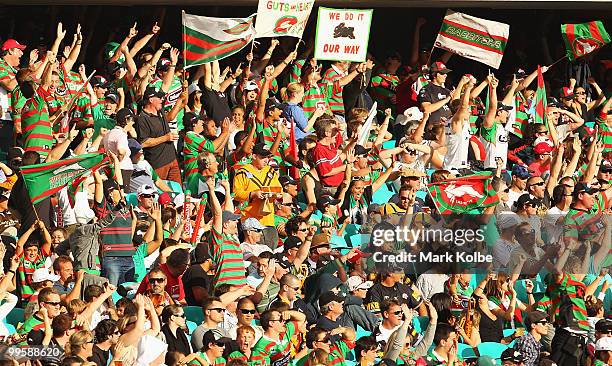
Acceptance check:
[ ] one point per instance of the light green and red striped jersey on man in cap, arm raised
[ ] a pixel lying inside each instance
(228, 258)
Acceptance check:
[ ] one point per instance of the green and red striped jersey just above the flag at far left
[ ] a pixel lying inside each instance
(36, 126)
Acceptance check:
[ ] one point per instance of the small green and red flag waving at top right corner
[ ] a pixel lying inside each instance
(584, 38)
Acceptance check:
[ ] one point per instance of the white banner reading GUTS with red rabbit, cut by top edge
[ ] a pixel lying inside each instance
(282, 18)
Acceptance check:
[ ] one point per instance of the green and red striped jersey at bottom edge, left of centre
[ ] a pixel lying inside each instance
(270, 352)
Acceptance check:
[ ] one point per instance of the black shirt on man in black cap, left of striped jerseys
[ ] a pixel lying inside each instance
(153, 126)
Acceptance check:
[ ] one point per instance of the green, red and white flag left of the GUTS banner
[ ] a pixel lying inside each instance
(206, 39)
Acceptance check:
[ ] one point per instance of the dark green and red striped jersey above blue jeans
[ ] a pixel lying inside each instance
(116, 238)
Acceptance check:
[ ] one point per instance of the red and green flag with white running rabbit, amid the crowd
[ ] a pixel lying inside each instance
(463, 194)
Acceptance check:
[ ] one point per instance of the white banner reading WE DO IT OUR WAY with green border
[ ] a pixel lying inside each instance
(343, 34)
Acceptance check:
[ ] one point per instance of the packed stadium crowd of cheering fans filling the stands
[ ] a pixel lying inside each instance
(235, 222)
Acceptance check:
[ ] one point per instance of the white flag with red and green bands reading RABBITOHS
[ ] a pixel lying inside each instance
(478, 39)
